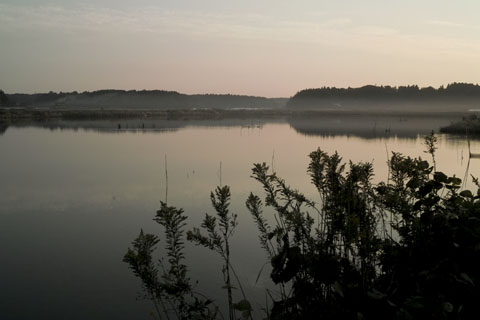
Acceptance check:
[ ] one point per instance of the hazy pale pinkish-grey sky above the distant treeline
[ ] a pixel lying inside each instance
(261, 47)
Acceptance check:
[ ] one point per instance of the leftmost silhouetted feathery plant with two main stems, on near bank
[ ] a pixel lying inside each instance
(170, 290)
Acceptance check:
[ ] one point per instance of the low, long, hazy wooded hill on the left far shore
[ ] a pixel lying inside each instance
(151, 99)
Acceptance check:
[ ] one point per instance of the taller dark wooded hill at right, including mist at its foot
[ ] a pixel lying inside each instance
(454, 97)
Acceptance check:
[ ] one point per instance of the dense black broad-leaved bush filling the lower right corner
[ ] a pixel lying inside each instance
(430, 270)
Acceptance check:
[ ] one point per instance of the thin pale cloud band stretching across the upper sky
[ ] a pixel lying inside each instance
(318, 31)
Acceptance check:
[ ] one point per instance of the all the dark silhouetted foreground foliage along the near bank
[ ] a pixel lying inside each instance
(407, 248)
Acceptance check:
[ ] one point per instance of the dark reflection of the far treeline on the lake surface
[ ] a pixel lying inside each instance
(360, 125)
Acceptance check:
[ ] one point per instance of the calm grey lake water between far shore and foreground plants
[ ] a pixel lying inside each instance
(71, 201)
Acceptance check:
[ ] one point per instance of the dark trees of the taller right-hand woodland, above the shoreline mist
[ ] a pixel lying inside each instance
(340, 97)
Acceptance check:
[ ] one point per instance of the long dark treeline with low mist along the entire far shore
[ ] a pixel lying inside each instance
(454, 97)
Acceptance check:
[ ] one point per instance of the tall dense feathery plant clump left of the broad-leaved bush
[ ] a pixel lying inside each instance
(327, 264)
